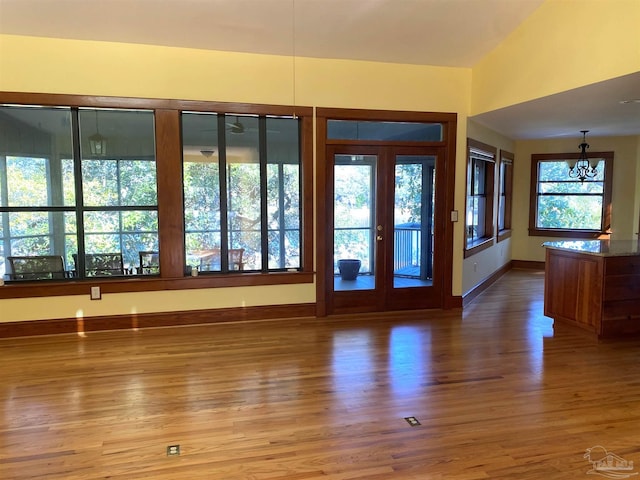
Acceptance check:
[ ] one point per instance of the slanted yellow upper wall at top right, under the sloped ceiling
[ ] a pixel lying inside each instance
(563, 45)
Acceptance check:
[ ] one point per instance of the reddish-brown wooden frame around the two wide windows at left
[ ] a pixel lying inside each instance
(170, 211)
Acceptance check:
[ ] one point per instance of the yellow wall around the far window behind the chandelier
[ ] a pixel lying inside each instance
(624, 208)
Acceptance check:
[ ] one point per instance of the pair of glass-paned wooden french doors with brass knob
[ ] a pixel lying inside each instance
(381, 205)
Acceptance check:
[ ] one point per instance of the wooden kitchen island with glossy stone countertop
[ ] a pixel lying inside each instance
(594, 285)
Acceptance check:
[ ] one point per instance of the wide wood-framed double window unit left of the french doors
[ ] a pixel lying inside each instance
(151, 194)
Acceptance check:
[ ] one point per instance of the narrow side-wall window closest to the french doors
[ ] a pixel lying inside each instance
(480, 189)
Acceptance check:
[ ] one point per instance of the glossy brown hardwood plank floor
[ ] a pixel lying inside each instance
(498, 393)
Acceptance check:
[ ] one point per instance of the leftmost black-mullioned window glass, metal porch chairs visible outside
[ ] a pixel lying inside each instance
(77, 192)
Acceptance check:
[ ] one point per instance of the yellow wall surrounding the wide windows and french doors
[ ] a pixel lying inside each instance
(30, 64)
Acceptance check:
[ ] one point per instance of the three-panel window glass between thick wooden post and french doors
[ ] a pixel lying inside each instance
(242, 190)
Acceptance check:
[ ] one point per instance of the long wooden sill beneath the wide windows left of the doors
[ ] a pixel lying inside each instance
(139, 284)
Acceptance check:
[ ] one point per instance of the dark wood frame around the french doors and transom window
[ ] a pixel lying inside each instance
(324, 271)
